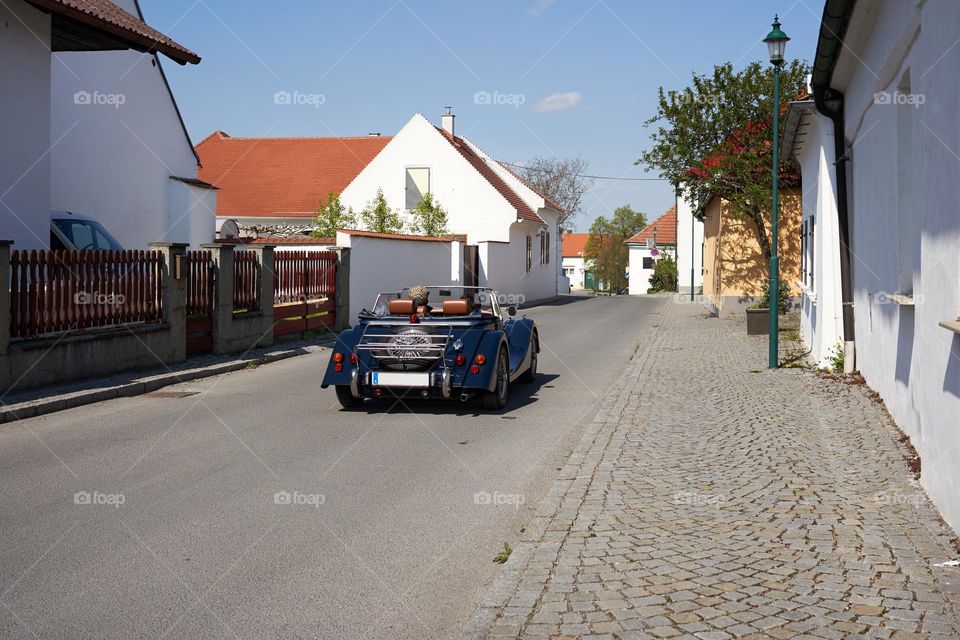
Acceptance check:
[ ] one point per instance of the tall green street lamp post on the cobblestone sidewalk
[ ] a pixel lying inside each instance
(776, 44)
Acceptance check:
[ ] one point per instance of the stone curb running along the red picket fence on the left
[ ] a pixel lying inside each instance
(145, 384)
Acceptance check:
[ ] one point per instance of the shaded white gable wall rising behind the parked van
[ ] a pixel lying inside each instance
(120, 140)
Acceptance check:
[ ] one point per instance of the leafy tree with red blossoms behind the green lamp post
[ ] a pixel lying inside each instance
(715, 138)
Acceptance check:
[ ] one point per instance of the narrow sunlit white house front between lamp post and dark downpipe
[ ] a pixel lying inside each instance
(808, 136)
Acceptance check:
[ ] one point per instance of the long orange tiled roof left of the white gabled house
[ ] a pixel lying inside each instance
(281, 177)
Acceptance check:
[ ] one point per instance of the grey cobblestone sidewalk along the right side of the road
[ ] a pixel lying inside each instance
(711, 498)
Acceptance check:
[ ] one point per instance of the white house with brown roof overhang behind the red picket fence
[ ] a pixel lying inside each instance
(90, 126)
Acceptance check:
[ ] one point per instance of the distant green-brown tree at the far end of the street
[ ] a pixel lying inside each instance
(605, 252)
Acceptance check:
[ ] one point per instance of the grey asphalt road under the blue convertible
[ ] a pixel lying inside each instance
(383, 537)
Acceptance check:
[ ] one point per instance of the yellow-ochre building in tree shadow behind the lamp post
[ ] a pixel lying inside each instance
(734, 267)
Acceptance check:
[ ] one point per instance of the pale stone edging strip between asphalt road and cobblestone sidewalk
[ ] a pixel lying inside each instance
(507, 584)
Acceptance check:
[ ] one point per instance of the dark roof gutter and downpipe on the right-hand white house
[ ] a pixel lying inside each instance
(829, 102)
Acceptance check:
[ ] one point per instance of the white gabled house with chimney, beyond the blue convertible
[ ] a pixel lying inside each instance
(513, 226)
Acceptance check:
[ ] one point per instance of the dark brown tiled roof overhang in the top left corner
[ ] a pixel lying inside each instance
(73, 20)
